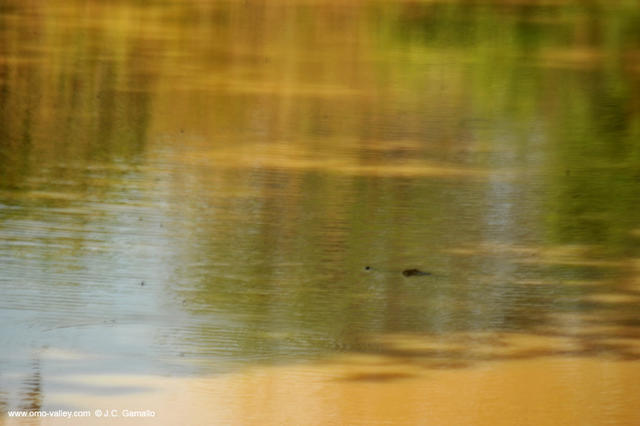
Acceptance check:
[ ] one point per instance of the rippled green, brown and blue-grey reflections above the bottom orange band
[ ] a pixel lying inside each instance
(190, 188)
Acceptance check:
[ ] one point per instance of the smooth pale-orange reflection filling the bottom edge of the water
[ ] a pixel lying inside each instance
(357, 389)
